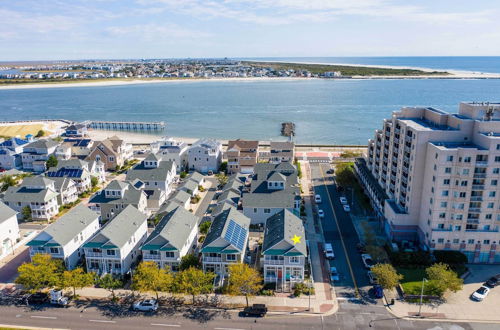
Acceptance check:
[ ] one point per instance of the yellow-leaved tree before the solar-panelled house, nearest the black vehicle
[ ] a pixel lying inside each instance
(244, 280)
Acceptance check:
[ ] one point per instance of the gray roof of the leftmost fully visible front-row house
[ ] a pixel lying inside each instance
(70, 225)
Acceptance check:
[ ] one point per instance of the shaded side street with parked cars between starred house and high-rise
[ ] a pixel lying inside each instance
(339, 230)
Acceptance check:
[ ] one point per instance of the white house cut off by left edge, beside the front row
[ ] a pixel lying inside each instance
(9, 230)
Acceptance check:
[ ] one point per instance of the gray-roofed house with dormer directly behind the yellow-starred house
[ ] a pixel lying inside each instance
(273, 187)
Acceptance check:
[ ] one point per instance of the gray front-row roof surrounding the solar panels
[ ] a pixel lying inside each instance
(220, 224)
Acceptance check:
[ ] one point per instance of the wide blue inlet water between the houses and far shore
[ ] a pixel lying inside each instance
(325, 111)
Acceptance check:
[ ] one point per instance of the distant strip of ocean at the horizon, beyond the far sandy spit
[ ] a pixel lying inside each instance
(490, 64)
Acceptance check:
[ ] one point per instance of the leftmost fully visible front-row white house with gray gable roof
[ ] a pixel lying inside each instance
(64, 238)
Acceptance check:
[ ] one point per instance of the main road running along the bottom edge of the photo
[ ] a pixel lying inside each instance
(349, 316)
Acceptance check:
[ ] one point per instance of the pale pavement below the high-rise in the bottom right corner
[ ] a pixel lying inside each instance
(458, 306)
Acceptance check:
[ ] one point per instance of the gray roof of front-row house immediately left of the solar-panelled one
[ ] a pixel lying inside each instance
(173, 230)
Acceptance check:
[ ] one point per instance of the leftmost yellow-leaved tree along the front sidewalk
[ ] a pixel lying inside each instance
(42, 272)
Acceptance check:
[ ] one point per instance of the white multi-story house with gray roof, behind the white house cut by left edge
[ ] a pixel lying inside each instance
(38, 193)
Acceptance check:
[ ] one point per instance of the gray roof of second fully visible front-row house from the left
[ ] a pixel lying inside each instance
(118, 231)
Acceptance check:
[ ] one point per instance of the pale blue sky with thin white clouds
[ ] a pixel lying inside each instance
(118, 29)
